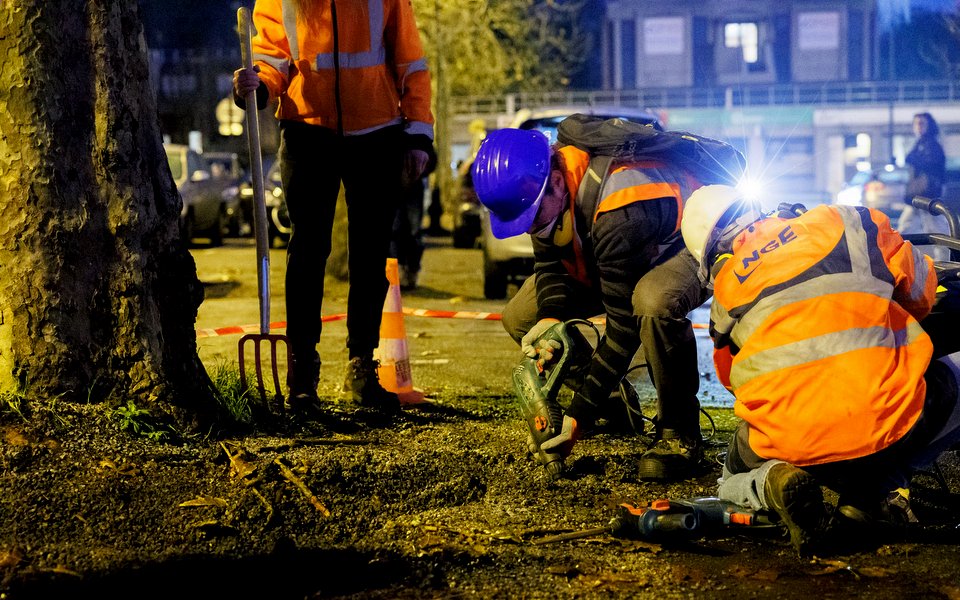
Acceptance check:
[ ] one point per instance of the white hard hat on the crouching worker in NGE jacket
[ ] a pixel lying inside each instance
(707, 213)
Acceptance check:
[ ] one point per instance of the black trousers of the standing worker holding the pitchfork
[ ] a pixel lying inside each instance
(314, 162)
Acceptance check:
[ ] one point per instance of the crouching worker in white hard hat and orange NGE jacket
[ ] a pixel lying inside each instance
(816, 322)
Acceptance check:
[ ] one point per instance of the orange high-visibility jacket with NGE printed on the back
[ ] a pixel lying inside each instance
(819, 315)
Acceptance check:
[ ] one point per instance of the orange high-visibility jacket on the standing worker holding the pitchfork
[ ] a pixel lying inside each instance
(359, 59)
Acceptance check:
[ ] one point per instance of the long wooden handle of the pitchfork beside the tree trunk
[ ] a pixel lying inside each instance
(260, 225)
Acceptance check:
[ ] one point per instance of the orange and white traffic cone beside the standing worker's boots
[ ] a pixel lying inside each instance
(394, 357)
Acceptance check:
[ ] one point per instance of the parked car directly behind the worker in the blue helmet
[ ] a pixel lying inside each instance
(511, 259)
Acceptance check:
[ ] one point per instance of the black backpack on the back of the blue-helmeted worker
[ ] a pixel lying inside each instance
(711, 161)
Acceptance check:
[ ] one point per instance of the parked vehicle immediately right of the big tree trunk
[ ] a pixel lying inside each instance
(206, 203)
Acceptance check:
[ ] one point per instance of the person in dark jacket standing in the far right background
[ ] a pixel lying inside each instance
(927, 163)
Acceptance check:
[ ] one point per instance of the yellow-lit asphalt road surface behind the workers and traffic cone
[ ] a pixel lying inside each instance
(469, 355)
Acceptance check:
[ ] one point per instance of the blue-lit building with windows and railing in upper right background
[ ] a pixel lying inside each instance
(809, 90)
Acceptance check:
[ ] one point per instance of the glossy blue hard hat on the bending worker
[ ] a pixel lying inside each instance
(510, 175)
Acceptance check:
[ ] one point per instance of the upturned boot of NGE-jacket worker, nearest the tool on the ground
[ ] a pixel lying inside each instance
(797, 498)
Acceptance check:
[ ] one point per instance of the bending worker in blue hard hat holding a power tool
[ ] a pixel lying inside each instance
(611, 249)
